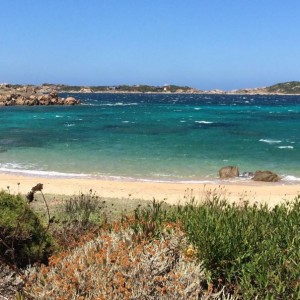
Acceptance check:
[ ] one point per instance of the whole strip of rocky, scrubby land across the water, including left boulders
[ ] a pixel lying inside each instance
(47, 93)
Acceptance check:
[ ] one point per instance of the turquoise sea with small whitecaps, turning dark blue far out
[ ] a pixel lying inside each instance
(153, 137)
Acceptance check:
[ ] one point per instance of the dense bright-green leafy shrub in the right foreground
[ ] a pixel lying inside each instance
(253, 250)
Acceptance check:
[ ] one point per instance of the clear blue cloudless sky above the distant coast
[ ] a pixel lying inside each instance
(206, 44)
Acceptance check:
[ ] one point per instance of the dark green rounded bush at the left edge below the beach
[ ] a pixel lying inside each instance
(23, 239)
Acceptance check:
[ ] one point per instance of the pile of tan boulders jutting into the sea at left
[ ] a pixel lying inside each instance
(35, 99)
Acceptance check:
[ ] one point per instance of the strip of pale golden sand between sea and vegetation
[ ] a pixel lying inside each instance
(172, 193)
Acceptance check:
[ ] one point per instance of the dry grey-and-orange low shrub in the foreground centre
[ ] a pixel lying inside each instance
(116, 266)
